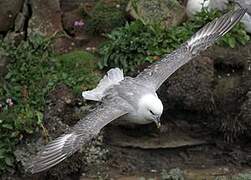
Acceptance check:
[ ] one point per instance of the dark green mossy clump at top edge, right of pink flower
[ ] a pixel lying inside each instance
(105, 17)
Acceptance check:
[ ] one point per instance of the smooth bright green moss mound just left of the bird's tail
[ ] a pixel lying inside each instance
(77, 70)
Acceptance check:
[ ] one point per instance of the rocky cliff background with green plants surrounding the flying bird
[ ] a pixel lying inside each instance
(52, 50)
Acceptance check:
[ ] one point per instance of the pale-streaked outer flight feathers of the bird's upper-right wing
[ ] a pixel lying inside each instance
(213, 31)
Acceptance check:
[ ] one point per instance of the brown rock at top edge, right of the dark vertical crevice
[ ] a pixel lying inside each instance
(46, 17)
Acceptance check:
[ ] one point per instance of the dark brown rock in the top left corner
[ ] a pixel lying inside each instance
(8, 12)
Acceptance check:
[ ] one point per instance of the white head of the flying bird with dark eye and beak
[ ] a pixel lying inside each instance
(150, 108)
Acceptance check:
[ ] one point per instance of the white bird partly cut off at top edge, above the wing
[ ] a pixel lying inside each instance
(195, 6)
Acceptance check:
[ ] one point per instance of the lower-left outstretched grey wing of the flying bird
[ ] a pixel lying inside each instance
(67, 144)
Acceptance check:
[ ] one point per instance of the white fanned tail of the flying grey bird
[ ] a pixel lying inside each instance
(114, 76)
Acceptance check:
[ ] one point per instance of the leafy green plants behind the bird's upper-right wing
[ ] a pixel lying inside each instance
(136, 43)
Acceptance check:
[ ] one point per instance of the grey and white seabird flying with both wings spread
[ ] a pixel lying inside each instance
(131, 99)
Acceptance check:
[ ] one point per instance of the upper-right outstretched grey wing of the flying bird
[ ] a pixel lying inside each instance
(158, 72)
